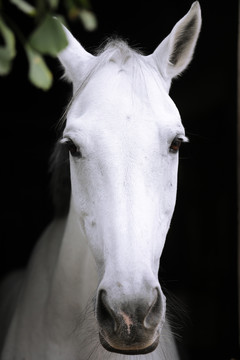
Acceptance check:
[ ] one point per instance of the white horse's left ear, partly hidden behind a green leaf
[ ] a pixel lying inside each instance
(74, 58)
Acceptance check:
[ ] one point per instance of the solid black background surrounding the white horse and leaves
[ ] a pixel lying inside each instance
(199, 263)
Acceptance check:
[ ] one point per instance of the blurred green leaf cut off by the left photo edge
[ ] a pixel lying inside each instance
(7, 51)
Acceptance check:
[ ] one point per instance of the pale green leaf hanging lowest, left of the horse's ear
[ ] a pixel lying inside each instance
(39, 74)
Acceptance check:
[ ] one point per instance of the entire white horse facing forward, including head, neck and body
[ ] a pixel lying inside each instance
(91, 290)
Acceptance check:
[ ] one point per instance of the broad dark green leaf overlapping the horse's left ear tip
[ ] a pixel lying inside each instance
(49, 37)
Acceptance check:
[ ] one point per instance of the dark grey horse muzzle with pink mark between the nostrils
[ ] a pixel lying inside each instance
(132, 327)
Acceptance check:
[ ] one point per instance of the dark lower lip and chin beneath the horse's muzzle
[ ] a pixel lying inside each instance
(128, 351)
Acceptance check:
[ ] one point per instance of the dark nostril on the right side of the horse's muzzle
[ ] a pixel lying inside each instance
(154, 313)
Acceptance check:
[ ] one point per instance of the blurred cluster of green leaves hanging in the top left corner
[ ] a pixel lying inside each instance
(46, 37)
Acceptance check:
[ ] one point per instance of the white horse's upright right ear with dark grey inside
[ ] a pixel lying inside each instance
(175, 52)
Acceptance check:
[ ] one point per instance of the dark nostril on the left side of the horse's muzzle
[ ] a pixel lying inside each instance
(105, 314)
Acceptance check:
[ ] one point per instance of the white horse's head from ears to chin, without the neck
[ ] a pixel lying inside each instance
(123, 133)
